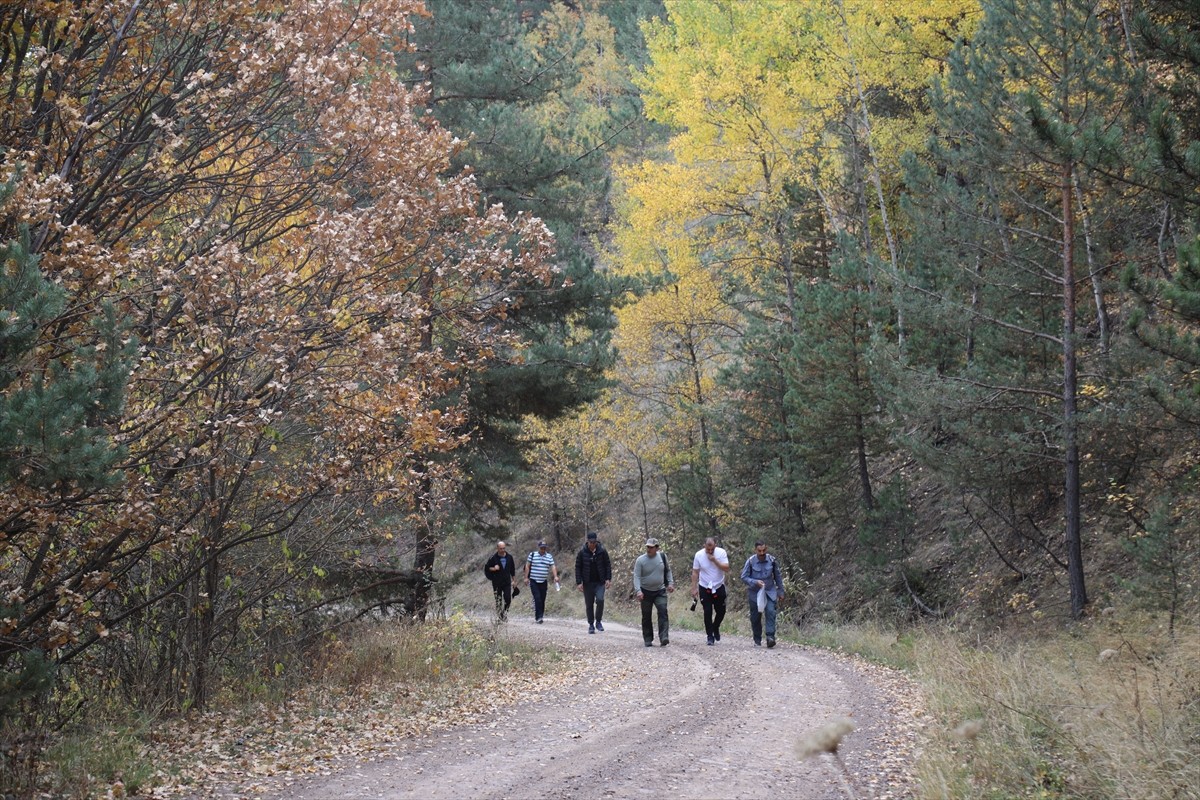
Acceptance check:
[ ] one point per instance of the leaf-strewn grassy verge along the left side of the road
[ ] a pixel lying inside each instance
(374, 685)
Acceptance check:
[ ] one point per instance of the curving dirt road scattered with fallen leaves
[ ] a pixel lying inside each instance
(685, 721)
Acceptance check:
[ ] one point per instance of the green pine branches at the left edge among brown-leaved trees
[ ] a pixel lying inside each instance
(56, 400)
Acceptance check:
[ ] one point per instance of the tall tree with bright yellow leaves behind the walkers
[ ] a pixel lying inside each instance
(789, 119)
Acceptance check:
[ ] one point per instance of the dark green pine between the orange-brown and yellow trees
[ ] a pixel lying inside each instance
(508, 83)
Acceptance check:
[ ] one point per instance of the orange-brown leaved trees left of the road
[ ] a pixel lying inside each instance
(251, 221)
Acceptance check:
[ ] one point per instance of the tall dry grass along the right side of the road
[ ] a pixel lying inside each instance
(1111, 709)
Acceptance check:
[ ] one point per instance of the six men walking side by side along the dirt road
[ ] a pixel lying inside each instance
(653, 582)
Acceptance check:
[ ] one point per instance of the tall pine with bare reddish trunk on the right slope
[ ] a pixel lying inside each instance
(1028, 107)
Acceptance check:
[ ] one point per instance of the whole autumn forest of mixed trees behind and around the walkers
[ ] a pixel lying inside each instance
(305, 305)
